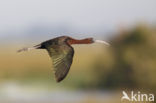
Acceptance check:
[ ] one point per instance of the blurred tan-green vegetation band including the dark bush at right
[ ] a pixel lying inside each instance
(130, 62)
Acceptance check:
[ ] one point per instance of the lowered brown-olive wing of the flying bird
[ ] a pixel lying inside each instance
(62, 57)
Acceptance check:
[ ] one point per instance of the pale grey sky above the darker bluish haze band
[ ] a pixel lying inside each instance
(19, 15)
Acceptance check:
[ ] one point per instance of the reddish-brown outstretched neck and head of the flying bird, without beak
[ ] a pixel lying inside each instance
(82, 41)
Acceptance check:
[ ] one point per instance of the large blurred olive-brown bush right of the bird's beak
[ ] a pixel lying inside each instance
(130, 62)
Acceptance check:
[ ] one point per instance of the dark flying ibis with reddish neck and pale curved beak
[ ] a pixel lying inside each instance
(61, 53)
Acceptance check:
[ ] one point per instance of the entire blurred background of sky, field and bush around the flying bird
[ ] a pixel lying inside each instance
(99, 73)
